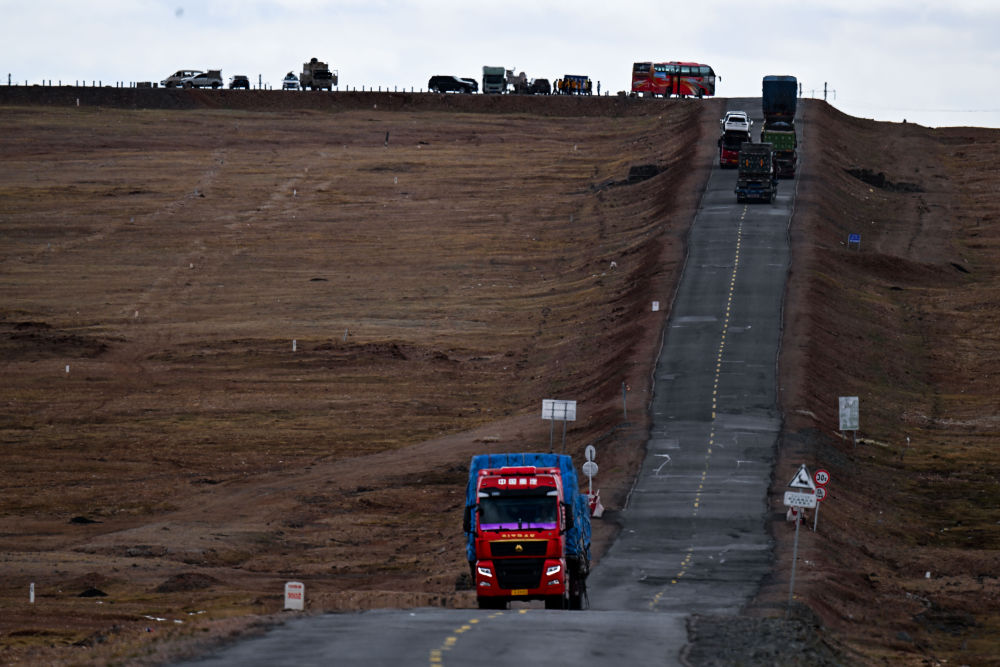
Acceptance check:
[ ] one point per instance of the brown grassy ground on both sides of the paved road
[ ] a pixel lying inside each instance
(441, 267)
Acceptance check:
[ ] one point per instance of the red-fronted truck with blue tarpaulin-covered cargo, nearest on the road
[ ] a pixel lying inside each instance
(527, 530)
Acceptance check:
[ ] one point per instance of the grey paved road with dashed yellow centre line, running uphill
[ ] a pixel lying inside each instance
(694, 538)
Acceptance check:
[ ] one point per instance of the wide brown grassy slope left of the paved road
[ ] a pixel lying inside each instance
(166, 443)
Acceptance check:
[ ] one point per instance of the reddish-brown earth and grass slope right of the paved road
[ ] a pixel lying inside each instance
(903, 567)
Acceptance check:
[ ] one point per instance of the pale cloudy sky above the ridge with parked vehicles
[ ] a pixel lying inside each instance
(936, 63)
